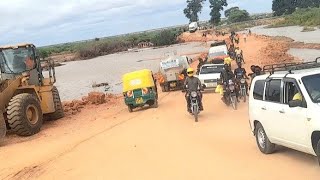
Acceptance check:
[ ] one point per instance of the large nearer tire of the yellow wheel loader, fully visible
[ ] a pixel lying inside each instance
(24, 114)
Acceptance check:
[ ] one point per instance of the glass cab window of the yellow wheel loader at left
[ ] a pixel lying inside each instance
(16, 61)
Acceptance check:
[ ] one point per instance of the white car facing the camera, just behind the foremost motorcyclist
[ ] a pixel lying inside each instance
(209, 75)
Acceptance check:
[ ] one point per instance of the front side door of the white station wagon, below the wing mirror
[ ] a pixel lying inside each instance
(294, 122)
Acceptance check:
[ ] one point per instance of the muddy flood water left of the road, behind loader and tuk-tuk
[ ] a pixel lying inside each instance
(75, 79)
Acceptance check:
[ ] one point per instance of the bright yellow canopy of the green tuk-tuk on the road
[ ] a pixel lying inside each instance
(137, 80)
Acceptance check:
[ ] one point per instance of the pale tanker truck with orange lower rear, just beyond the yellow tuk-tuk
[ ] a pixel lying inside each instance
(172, 73)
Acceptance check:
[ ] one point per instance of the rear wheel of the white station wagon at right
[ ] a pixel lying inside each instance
(263, 141)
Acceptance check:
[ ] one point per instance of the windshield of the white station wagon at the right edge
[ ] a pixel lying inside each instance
(312, 84)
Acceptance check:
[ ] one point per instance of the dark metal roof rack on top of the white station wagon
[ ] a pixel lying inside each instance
(291, 66)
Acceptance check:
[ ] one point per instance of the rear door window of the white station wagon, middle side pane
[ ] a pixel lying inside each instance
(273, 91)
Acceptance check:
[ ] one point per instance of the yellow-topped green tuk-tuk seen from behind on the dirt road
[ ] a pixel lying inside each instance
(140, 89)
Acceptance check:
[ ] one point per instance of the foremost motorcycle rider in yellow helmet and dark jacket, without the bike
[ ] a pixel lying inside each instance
(192, 84)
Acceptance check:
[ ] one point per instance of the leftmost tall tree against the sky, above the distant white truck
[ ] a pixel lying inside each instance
(193, 8)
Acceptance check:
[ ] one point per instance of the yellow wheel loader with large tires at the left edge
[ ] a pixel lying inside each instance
(26, 95)
